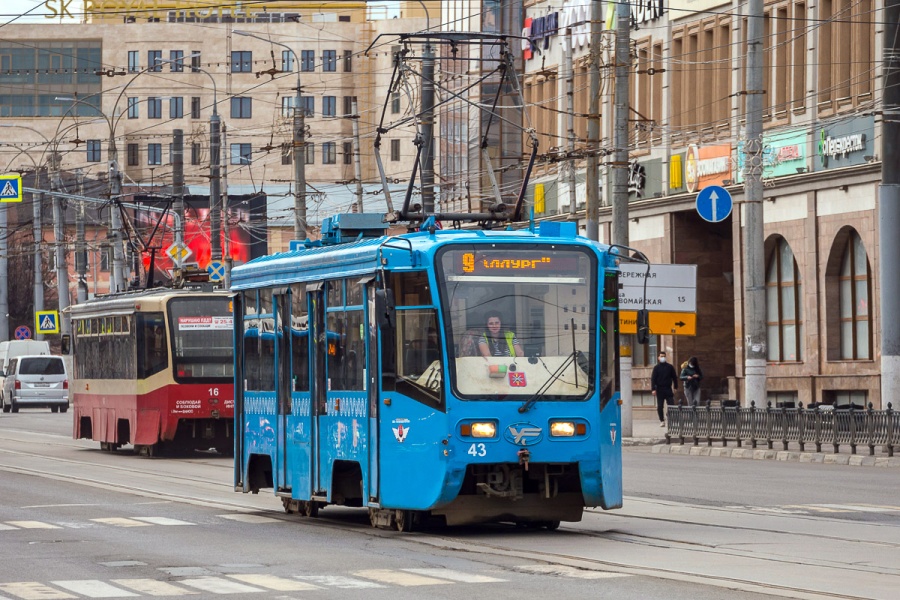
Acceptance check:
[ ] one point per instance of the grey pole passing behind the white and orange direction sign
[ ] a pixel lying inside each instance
(618, 176)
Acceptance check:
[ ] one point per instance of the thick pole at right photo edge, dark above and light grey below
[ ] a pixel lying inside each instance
(889, 207)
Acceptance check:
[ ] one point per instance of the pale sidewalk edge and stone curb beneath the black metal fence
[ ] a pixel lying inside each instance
(647, 432)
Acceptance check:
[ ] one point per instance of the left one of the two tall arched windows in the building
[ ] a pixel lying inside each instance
(784, 302)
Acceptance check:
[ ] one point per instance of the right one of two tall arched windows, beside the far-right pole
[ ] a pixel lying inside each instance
(856, 324)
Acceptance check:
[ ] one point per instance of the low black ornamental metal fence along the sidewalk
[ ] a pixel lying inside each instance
(852, 425)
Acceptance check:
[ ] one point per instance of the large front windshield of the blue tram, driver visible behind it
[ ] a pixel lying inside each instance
(521, 320)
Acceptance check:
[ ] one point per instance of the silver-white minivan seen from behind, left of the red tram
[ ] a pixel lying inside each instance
(36, 381)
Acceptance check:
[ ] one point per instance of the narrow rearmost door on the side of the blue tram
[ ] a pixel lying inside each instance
(283, 384)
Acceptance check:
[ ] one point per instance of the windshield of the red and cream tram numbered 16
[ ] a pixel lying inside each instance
(202, 339)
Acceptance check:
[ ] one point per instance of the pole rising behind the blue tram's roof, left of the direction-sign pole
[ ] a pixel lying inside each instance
(592, 170)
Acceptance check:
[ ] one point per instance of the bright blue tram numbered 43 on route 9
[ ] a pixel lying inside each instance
(364, 376)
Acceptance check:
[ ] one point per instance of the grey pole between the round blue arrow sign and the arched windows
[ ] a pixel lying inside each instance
(754, 276)
